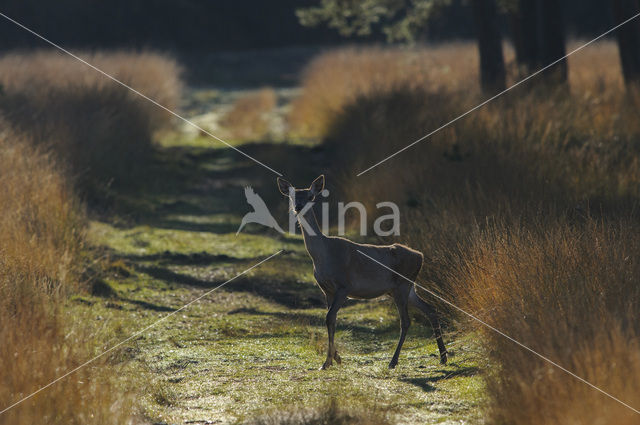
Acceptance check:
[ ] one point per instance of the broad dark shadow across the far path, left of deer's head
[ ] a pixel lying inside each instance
(199, 182)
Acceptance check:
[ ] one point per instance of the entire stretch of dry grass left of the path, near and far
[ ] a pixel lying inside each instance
(64, 127)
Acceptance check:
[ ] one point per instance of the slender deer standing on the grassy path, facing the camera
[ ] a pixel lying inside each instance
(343, 271)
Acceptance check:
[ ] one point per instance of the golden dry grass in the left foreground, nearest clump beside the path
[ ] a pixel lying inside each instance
(41, 237)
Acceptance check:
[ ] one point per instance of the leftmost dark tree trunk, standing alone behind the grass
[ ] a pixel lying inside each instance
(492, 71)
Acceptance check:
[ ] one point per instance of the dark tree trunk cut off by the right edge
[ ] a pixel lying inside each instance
(628, 39)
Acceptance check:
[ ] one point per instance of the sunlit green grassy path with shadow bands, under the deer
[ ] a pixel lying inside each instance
(254, 346)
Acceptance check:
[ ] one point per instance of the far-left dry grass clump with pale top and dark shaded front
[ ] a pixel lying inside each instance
(100, 129)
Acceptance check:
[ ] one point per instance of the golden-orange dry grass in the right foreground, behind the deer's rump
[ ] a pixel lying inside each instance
(570, 293)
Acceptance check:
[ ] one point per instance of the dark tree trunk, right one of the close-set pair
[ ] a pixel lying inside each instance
(552, 43)
